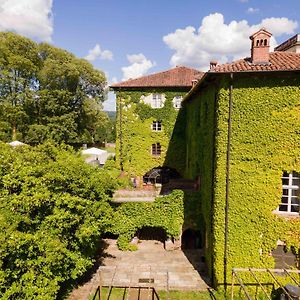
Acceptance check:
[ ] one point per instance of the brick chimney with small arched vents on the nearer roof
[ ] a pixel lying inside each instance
(260, 46)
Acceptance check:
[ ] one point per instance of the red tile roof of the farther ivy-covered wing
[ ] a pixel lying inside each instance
(176, 77)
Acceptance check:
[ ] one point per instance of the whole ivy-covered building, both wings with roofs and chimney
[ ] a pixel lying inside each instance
(238, 131)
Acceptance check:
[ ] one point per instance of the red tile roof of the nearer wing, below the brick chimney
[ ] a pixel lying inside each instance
(279, 61)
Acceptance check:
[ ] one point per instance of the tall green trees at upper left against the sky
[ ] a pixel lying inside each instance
(48, 93)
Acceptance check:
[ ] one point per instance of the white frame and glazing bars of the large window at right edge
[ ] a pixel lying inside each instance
(290, 188)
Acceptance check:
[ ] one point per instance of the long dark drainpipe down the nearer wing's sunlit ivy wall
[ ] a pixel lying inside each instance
(227, 179)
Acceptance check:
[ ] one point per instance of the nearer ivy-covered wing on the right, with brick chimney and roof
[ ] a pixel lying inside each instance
(243, 140)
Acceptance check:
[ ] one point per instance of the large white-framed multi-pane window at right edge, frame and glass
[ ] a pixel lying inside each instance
(290, 193)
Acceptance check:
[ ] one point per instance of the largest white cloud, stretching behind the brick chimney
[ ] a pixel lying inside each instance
(216, 40)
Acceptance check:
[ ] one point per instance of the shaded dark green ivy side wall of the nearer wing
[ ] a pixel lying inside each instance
(200, 138)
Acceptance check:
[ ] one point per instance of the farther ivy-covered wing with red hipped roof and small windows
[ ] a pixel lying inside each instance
(147, 109)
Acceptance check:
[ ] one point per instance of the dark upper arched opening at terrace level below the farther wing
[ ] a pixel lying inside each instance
(160, 175)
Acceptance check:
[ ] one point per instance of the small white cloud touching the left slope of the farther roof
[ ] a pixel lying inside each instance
(140, 65)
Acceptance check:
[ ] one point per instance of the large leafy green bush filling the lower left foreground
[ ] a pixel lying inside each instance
(53, 209)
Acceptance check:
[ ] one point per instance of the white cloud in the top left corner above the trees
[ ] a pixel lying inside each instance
(31, 18)
